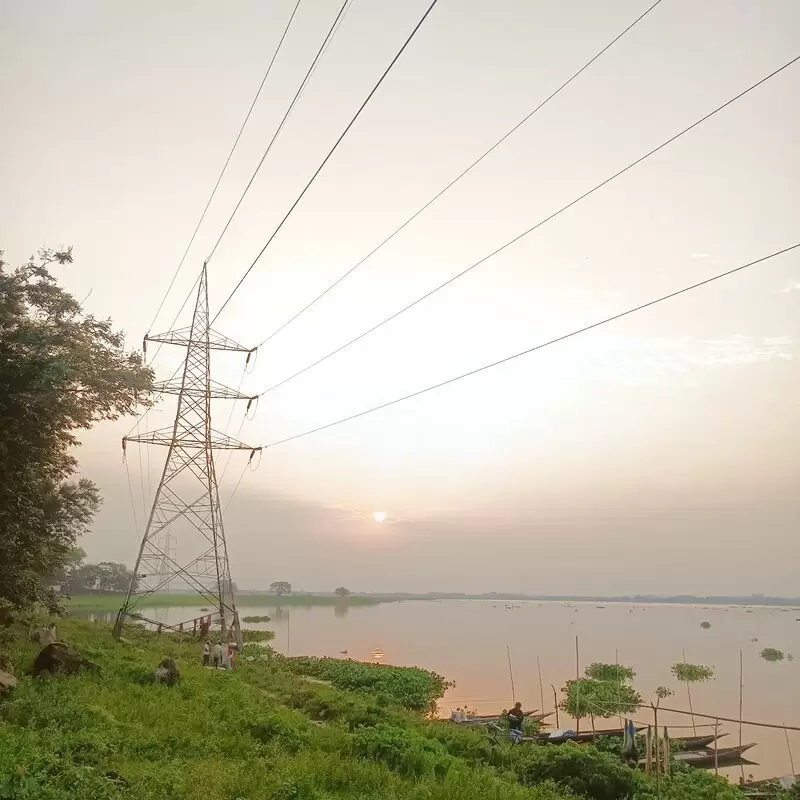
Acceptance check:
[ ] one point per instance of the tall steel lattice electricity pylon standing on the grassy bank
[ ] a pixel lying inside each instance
(188, 494)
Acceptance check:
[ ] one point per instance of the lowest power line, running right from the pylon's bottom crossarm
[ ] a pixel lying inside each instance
(540, 346)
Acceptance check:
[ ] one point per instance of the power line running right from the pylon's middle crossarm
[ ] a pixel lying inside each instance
(532, 228)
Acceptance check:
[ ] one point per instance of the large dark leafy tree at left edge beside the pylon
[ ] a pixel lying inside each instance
(61, 371)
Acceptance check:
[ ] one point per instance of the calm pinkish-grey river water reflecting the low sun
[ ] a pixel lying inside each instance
(466, 640)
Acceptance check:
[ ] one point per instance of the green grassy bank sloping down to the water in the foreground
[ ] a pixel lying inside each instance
(276, 729)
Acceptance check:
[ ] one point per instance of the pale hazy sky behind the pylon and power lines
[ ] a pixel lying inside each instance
(657, 454)
